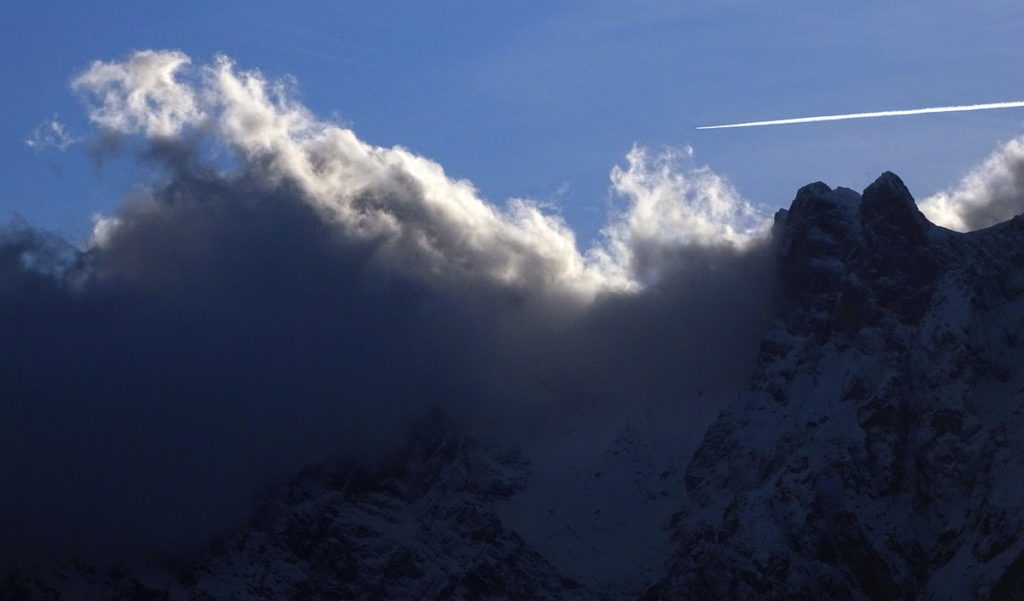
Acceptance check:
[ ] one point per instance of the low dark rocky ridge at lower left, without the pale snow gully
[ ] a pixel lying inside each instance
(421, 528)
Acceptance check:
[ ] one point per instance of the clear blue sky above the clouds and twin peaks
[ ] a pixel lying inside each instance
(541, 100)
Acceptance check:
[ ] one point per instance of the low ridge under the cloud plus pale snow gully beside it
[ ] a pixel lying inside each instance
(448, 519)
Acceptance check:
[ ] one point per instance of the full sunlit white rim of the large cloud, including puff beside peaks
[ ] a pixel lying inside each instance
(423, 220)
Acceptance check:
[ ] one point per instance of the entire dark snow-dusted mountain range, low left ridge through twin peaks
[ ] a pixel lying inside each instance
(877, 455)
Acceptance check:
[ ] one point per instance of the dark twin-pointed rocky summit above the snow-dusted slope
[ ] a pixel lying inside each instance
(846, 260)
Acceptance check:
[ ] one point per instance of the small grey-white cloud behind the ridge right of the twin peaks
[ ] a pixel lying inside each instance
(992, 193)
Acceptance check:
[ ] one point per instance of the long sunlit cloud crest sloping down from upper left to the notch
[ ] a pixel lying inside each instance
(407, 204)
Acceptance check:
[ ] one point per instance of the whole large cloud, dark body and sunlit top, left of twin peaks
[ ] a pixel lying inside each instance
(300, 295)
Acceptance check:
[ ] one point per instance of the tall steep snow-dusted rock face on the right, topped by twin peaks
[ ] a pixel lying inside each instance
(878, 454)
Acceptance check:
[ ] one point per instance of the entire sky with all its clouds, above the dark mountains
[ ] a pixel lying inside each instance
(248, 239)
